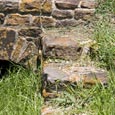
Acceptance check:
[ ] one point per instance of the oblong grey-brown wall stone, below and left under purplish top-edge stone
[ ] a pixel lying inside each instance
(62, 14)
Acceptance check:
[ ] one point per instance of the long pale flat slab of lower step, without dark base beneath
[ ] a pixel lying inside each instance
(65, 72)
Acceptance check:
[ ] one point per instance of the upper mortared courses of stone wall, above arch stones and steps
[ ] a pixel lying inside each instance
(46, 12)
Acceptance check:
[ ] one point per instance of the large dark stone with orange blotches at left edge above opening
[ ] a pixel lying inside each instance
(7, 39)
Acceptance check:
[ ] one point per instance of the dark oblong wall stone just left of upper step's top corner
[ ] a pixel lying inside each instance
(30, 32)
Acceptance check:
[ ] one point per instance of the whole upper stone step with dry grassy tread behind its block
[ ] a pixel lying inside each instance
(66, 43)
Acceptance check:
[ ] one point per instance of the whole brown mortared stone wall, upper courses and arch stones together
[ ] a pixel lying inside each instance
(21, 22)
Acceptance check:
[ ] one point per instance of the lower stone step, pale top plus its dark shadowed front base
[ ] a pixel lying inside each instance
(61, 74)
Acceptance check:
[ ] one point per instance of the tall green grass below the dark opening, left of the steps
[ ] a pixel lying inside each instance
(20, 93)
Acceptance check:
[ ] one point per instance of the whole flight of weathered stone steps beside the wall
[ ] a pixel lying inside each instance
(66, 62)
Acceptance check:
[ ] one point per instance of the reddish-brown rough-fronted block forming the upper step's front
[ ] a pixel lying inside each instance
(61, 47)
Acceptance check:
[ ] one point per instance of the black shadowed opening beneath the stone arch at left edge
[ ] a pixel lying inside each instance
(6, 66)
